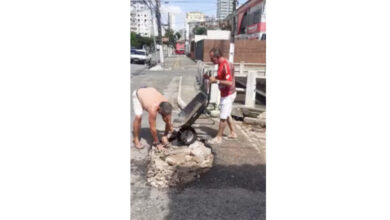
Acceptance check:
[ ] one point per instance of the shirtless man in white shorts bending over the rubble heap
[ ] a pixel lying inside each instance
(150, 100)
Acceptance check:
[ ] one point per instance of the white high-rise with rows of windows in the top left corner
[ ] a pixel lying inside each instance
(141, 19)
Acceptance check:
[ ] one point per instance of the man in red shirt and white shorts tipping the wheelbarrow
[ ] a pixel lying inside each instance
(226, 83)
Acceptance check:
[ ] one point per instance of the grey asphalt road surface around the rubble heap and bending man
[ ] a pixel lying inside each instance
(233, 189)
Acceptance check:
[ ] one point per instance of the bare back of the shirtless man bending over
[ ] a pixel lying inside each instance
(150, 98)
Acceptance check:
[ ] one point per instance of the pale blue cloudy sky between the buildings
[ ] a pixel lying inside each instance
(180, 7)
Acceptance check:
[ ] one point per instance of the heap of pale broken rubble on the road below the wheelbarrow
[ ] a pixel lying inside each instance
(178, 165)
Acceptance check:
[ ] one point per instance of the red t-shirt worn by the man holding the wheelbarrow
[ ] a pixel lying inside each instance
(226, 72)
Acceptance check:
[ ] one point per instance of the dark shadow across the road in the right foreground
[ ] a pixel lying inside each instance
(226, 192)
